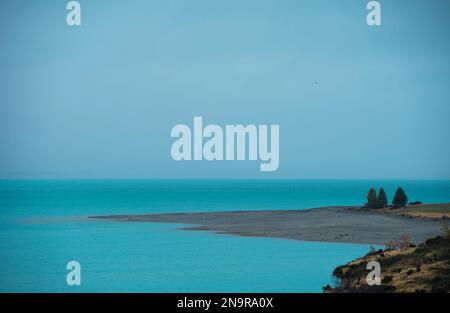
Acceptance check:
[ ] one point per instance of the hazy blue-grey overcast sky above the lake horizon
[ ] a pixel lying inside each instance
(99, 100)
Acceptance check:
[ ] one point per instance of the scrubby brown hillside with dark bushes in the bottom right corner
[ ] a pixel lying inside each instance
(415, 269)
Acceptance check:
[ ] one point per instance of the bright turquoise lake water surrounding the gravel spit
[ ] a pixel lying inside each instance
(43, 226)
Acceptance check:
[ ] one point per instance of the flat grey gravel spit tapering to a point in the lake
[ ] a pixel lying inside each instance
(328, 224)
